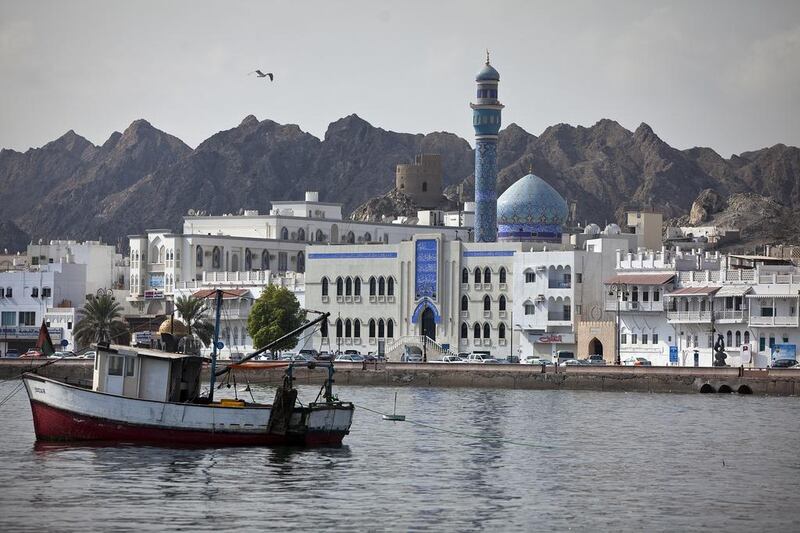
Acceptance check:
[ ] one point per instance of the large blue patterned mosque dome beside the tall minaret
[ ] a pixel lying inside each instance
(531, 210)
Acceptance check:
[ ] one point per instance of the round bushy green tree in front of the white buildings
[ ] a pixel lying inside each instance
(273, 315)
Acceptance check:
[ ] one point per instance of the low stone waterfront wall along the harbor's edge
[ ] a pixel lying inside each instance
(774, 382)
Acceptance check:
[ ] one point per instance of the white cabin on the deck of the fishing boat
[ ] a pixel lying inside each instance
(147, 374)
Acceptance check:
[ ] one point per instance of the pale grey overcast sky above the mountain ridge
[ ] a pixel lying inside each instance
(722, 74)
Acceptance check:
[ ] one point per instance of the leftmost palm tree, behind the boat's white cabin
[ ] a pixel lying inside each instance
(100, 321)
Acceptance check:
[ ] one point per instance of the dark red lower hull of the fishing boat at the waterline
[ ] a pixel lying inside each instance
(54, 424)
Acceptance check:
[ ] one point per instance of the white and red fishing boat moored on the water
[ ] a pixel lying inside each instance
(141, 395)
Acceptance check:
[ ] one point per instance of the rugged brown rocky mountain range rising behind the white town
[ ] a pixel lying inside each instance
(144, 178)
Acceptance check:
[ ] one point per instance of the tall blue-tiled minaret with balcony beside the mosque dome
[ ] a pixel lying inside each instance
(486, 121)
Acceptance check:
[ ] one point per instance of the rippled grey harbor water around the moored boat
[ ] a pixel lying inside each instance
(465, 460)
